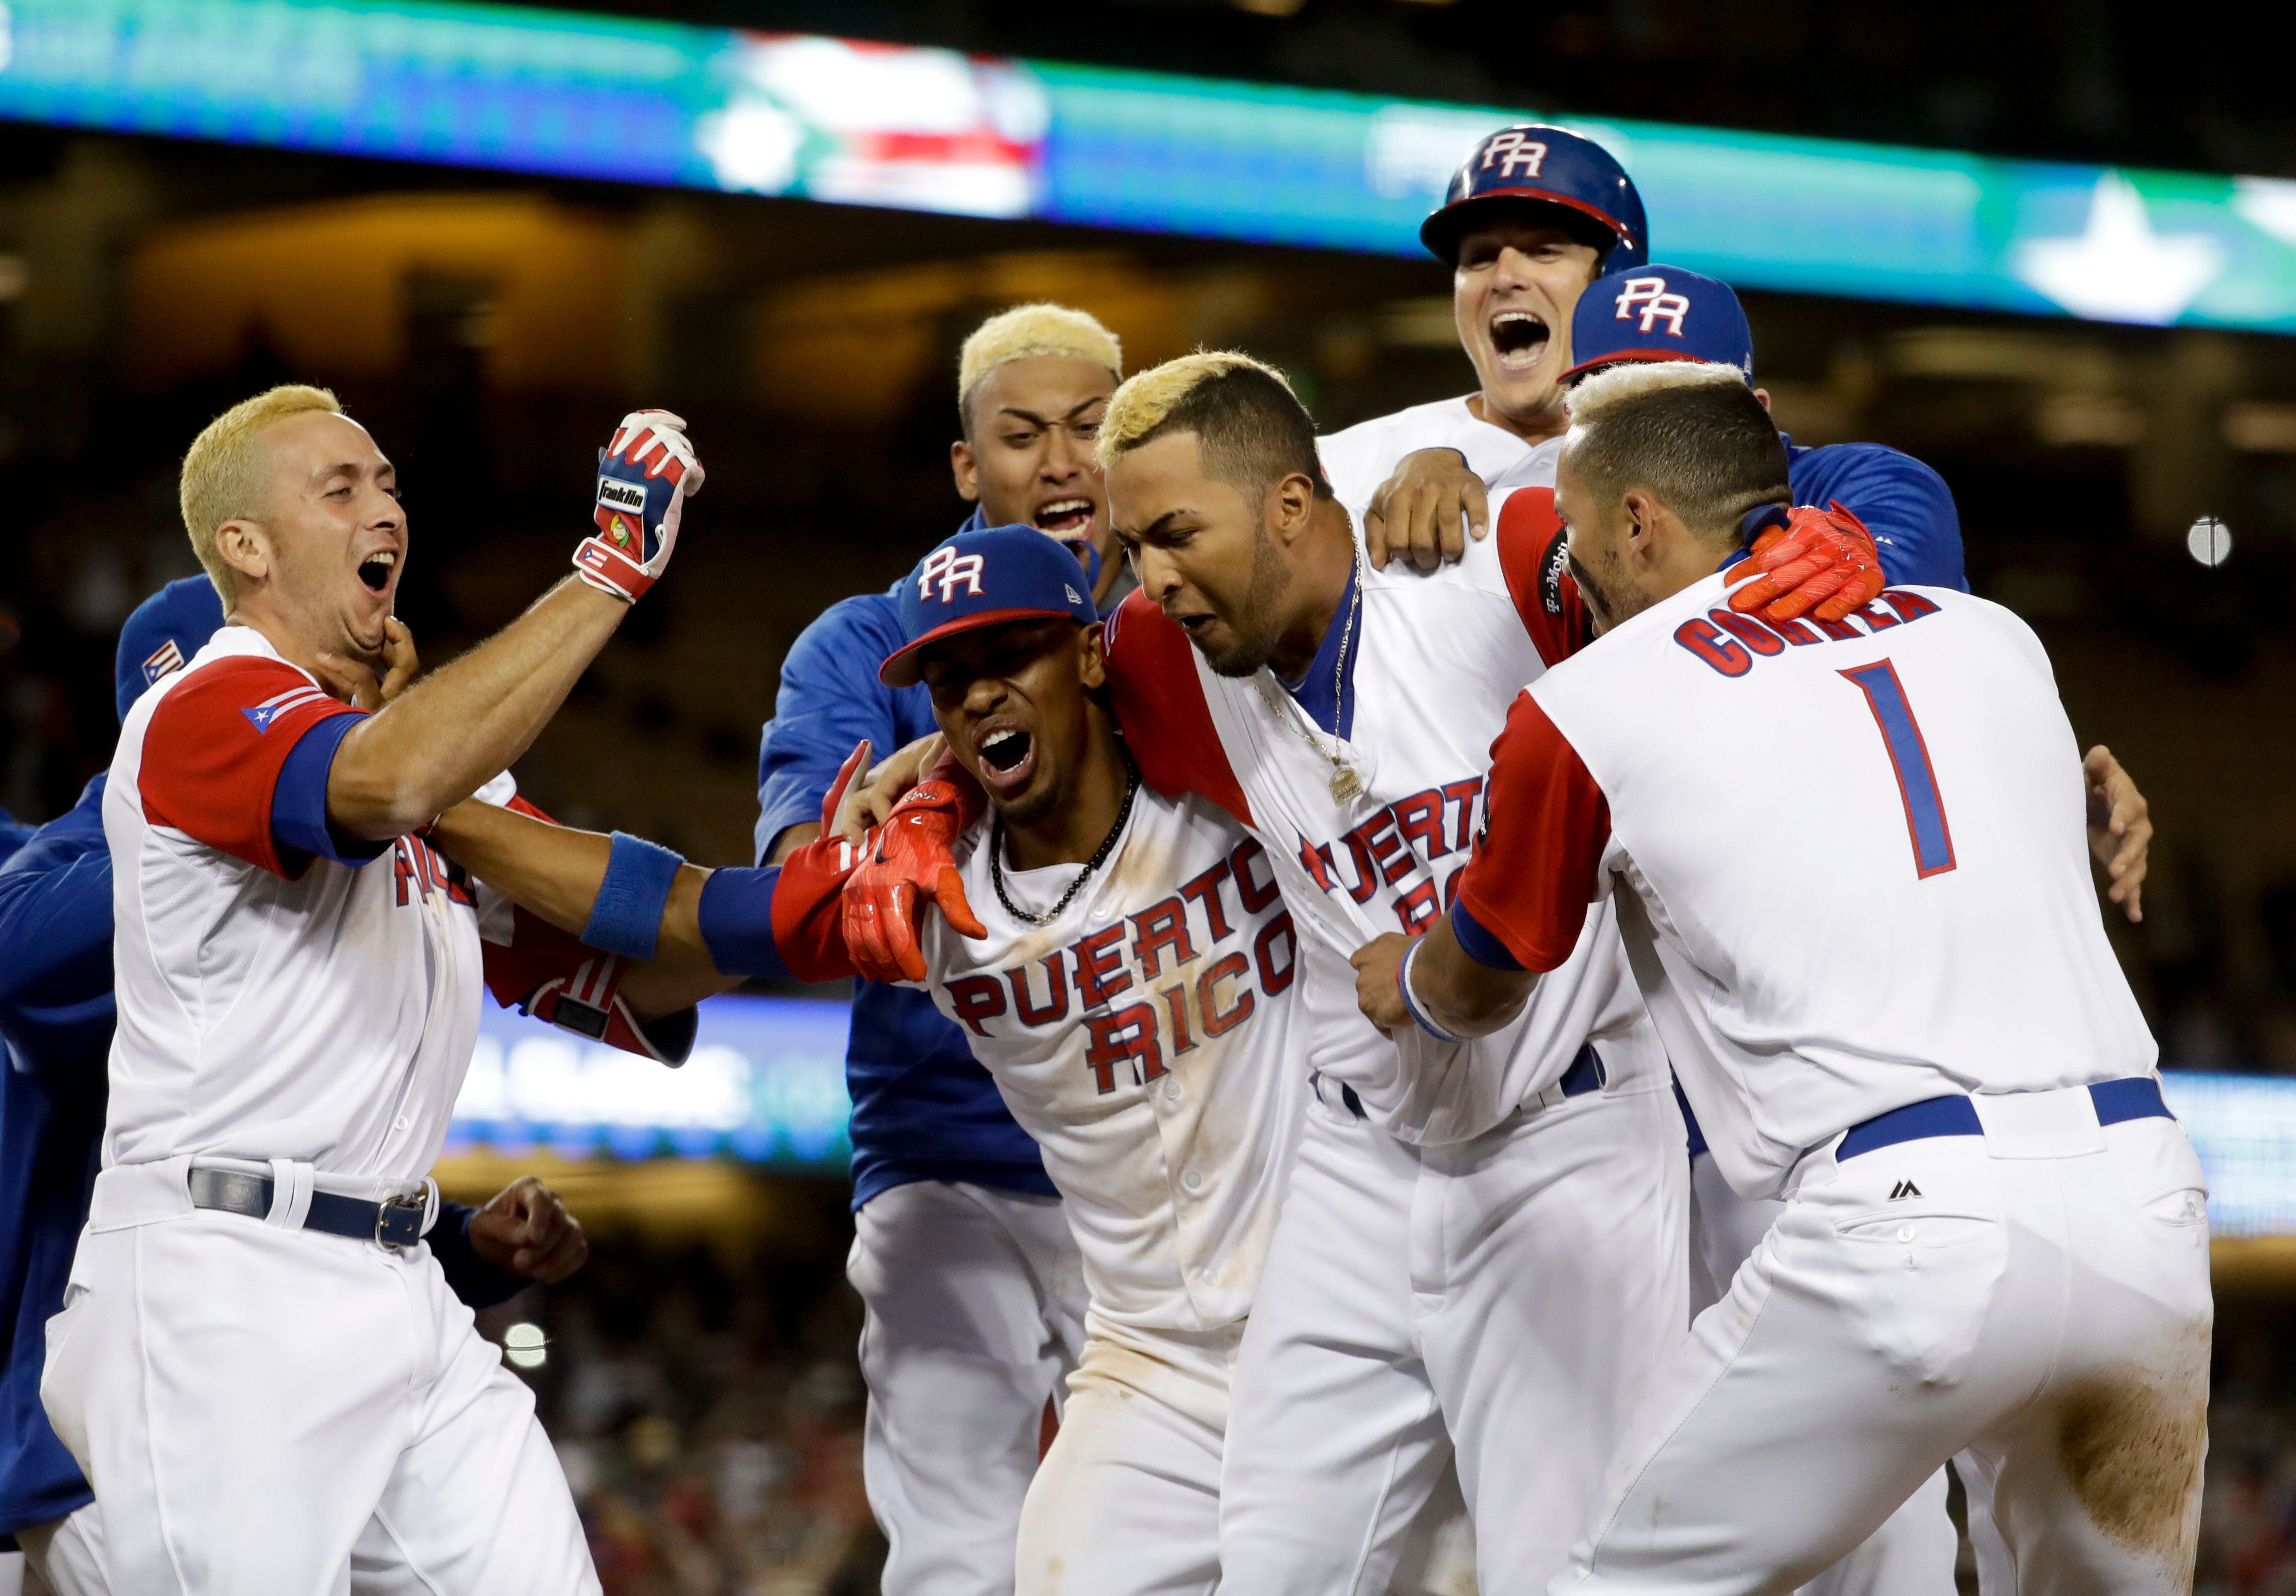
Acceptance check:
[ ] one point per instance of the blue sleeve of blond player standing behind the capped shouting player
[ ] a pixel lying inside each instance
(830, 699)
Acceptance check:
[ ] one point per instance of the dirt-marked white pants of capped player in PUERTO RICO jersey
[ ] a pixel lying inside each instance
(1128, 1498)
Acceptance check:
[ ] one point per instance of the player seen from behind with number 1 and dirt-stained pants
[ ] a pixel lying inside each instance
(1996, 1237)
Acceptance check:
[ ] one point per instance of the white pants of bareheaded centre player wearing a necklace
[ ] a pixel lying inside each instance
(1507, 1299)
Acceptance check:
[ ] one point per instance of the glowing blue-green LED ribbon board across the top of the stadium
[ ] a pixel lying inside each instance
(839, 121)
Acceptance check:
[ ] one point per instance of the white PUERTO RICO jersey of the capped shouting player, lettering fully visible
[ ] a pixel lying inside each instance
(1147, 1041)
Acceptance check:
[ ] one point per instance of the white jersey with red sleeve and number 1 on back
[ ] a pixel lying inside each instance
(1946, 936)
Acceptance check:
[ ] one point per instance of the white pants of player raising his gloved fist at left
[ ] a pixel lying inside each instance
(254, 1402)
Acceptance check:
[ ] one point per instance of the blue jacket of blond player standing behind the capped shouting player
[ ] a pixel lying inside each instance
(924, 1108)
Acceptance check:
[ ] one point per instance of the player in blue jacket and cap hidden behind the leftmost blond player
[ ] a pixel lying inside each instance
(56, 1016)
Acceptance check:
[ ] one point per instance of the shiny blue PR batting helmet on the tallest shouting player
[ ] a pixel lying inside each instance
(1544, 166)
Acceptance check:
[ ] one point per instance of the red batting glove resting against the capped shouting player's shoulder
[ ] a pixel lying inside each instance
(913, 855)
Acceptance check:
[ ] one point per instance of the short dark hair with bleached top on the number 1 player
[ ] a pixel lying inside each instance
(1689, 433)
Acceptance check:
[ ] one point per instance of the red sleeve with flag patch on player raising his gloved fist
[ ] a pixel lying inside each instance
(215, 750)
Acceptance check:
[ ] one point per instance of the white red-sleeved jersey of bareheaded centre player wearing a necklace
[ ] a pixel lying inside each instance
(1432, 665)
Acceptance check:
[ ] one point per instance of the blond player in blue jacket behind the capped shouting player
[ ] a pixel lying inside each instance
(965, 1266)
